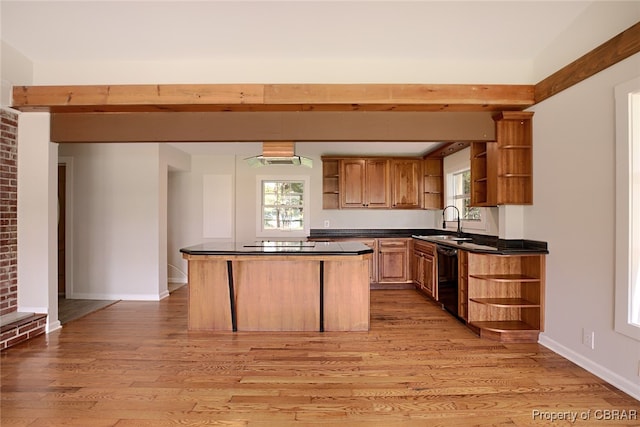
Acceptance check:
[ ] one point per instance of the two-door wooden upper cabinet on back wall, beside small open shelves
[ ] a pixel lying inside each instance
(364, 183)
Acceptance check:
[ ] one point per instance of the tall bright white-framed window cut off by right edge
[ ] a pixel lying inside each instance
(627, 268)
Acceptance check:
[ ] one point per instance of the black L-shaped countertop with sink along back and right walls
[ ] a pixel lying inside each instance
(479, 242)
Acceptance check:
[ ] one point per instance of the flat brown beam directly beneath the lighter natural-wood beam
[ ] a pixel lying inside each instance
(271, 126)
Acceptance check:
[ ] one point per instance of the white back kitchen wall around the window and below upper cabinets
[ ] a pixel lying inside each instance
(185, 202)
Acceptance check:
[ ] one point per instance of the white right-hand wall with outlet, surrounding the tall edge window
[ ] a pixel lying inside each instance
(574, 210)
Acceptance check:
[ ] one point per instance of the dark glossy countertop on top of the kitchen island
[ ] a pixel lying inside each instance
(265, 247)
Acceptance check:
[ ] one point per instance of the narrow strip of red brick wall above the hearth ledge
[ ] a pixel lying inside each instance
(8, 211)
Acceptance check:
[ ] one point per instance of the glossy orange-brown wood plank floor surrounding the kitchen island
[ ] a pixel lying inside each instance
(135, 364)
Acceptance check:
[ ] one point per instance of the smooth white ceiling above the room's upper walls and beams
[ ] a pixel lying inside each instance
(160, 30)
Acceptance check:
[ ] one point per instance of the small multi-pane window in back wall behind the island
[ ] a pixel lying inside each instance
(283, 206)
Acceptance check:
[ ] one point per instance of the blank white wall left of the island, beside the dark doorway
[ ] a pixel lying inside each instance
(117, 218)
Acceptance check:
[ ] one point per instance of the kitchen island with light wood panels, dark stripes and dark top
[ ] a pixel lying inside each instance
(278, 286)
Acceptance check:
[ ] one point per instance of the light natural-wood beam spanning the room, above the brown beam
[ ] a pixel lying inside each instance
(272, 97)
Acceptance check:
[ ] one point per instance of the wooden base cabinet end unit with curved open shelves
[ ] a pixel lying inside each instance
(505, 296)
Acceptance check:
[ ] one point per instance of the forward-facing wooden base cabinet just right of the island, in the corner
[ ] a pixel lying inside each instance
(393, 260)
